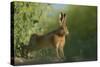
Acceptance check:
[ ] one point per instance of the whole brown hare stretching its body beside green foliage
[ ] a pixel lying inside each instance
(54, 39)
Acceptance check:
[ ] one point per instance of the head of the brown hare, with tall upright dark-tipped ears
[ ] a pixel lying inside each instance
(62, 22)
